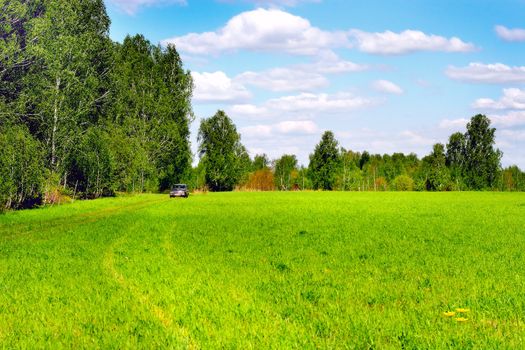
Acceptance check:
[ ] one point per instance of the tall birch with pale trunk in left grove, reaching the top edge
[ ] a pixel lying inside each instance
(66, 87)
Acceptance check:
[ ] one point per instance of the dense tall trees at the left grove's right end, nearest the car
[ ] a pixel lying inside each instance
(152, 105)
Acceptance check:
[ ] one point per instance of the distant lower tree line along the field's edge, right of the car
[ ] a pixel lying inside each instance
(469, 161)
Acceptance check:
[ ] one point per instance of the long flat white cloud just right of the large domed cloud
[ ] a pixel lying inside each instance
(390, 43)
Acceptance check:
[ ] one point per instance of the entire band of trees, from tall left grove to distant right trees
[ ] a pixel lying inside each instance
(82, 116)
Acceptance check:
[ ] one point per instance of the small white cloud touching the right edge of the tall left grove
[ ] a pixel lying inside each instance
(218, 87)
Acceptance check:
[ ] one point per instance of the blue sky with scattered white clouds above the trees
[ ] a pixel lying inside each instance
(385, 76)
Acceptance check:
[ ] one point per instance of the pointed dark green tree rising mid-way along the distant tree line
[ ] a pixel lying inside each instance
(324, 162)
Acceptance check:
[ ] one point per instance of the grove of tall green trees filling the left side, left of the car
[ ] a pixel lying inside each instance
(81, 115)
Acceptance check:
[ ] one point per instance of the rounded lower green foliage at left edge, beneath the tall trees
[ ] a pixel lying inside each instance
(21, 168)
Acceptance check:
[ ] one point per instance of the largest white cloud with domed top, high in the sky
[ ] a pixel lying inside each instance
(262, 30)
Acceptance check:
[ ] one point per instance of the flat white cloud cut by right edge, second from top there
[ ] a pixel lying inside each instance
(497, 73)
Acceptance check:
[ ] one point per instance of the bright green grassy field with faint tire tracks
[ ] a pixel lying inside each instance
(266, 270)
